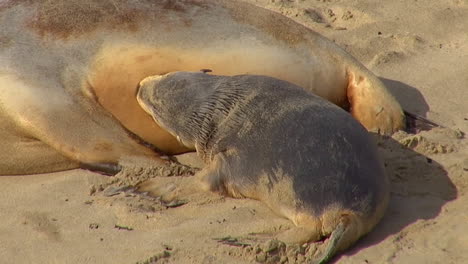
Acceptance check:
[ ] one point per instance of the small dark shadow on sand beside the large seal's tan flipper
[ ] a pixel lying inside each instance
(409, 97)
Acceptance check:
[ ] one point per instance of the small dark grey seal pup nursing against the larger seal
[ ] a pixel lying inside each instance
(270, 140)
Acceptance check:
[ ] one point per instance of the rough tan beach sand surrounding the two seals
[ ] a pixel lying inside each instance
(418, 48)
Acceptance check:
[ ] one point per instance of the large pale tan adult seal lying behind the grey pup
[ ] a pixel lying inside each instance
(69, 71)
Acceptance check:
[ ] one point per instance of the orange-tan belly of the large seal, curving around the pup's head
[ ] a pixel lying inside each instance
(116, 71)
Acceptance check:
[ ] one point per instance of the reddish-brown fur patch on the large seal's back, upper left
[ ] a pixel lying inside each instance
(64, 19)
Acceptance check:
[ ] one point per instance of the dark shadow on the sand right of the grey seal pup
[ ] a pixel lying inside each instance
(419, 189)
